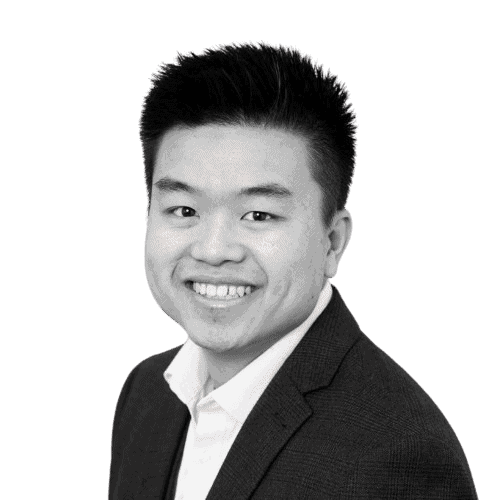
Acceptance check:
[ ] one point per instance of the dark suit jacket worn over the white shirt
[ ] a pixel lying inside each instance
(340, 420)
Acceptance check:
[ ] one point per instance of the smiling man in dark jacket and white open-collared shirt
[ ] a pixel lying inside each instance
(249, 155)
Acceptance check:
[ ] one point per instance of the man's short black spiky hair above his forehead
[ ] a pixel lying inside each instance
(257, 85)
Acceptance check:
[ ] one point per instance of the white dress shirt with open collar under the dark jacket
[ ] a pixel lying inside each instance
(218, 415)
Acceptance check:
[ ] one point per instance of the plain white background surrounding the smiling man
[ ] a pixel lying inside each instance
(419, 273)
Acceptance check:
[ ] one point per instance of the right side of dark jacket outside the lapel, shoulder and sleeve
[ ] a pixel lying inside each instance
(375, 433)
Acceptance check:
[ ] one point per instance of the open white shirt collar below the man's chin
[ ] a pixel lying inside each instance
(188, 375)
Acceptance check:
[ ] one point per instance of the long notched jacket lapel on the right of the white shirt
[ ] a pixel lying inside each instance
(282, 408)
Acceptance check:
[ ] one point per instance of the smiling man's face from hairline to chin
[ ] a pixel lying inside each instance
(217, 236)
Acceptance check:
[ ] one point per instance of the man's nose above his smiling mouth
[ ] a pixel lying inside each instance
(216, 241)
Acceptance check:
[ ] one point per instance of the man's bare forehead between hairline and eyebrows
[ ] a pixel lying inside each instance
(224, 159)
